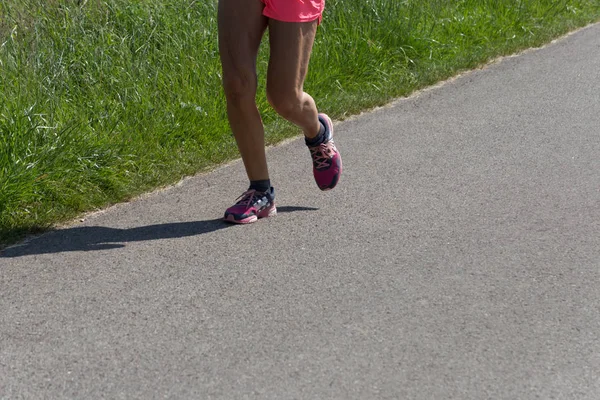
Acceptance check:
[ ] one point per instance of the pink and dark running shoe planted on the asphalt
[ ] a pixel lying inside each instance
(251, 206)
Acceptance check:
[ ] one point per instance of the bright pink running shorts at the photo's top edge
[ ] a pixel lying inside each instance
(294, 10)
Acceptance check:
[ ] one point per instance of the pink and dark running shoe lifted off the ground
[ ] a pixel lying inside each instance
(327, 161)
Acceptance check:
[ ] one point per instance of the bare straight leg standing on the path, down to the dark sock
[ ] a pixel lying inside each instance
(241, 27)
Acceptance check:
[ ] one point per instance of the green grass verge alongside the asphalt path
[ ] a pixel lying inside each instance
(103, 100)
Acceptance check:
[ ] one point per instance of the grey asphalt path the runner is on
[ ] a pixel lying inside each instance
(459, 258)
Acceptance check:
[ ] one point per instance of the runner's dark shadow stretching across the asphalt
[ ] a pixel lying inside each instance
(90, 238)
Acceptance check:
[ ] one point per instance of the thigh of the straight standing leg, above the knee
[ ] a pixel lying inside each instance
(241, 27)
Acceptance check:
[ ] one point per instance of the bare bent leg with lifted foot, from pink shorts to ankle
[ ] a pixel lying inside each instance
(291, 46)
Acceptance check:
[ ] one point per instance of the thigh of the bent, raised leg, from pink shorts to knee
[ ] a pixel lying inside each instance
(291, 46)
